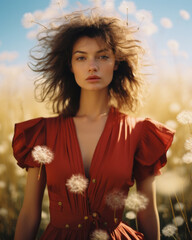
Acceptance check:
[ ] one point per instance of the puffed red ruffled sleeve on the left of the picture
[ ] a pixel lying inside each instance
(27, 135)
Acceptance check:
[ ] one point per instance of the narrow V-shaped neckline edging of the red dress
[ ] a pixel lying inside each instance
(96, 147)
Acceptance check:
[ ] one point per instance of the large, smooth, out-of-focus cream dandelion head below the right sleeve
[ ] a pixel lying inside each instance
(170, 183)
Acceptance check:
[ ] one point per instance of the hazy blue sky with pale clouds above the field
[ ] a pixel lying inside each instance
(167, 41)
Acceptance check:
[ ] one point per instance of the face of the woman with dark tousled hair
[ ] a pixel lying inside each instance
(92, 63)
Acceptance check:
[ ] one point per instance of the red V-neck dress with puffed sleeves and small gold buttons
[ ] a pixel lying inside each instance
(129, 148)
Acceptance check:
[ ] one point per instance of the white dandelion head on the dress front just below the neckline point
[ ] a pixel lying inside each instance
(77, 183)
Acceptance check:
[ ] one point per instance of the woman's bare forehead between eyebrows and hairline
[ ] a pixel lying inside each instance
(86, 43)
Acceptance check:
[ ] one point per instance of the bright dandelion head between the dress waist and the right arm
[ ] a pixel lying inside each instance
(136, 202)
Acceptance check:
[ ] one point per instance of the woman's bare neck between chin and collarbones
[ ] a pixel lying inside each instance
(93, 103)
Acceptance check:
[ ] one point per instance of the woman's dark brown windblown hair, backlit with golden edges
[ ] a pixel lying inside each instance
(52, 60)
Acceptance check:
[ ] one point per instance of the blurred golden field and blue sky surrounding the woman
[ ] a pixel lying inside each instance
(164, 28)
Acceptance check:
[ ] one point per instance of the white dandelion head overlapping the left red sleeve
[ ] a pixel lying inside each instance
(42, 154)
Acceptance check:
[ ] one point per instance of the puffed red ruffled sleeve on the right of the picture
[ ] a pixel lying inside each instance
(155, 140)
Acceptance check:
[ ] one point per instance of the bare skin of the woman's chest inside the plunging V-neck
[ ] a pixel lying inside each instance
(88, 135)
